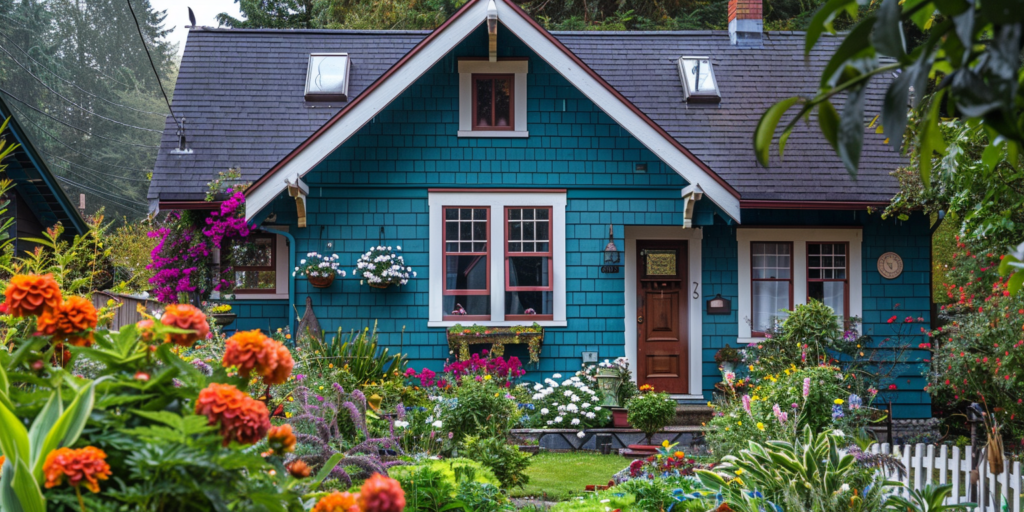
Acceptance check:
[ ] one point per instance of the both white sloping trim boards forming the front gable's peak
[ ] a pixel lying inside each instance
(428, 57)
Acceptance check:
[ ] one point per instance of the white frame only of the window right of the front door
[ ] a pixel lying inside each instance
(799, 238)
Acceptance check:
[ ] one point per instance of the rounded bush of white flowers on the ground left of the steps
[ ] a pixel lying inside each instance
(572, 404)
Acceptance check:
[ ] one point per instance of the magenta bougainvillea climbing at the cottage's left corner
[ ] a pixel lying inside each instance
(182, 259)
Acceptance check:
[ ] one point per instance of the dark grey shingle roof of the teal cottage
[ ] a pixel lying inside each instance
(241, 94)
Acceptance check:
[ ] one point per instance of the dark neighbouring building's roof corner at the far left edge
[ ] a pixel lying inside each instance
(37, 202)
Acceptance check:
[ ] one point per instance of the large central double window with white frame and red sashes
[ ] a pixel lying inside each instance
(497, 258)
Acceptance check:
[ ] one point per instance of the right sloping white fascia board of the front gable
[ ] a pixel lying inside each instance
(618, 111)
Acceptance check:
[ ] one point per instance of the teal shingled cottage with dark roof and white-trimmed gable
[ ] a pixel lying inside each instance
(438, 136)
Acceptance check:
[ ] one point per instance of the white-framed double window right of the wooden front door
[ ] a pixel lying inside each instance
(781, 269)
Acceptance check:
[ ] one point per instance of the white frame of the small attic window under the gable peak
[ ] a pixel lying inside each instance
(467, 69)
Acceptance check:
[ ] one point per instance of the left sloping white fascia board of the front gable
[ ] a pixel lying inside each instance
(367, 109)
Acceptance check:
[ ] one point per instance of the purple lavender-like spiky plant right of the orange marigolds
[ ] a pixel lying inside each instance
(320, 428)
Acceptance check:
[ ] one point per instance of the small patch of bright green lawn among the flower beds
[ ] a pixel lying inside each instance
(563, 476)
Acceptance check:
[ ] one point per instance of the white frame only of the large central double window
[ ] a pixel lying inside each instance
(497, 202)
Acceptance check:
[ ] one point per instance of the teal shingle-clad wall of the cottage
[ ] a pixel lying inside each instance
(381, 178)
